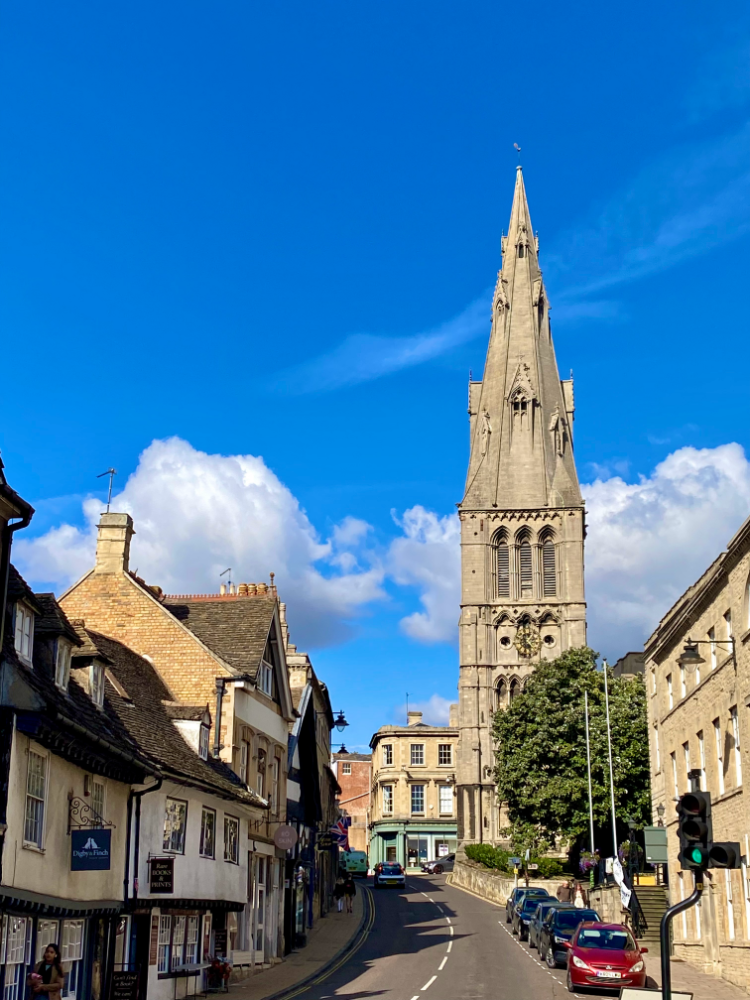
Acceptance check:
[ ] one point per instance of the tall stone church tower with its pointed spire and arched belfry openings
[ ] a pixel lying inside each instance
(522, 521)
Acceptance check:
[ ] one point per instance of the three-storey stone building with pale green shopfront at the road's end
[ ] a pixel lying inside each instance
(413, 792)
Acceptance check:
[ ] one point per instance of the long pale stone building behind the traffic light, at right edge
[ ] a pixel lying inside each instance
(698, 721)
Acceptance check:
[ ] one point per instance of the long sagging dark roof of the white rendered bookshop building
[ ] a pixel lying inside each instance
(152, 728)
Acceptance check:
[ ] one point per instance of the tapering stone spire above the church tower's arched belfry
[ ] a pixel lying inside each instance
(521, 413)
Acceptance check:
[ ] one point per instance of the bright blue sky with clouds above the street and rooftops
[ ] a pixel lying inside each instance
(270, 230)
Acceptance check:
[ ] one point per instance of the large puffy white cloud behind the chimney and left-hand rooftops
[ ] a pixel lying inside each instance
(195, 514)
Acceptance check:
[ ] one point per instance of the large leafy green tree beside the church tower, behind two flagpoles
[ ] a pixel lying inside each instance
(541, 754)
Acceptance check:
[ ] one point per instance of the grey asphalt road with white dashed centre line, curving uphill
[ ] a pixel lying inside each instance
(435, 942)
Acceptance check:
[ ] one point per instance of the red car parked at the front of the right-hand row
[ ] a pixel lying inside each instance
(605, 955)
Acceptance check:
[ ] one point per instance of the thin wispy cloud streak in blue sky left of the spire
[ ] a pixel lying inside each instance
(364, 356)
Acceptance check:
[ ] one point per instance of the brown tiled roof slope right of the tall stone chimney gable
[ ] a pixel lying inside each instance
(235, 629)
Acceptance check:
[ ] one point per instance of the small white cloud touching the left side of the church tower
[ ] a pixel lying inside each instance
(428, 557)
